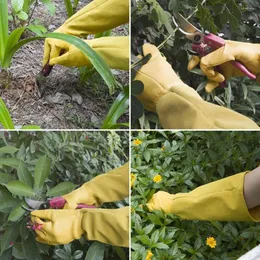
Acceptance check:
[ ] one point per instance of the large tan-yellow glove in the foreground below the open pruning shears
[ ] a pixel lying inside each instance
(178, 105)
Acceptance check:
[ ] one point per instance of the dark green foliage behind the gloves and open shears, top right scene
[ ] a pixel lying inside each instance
(237, 20)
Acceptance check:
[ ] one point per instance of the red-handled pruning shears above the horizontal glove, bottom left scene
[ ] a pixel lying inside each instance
(55, 203)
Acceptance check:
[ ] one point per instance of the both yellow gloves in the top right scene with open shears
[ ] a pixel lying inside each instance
(180, 106)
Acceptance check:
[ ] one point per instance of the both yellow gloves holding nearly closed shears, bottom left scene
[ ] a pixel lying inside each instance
(110, 226)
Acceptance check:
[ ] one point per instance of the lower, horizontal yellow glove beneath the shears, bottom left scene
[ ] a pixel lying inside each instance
(110, 226)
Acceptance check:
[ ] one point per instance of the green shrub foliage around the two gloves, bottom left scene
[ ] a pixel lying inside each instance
(48, 164)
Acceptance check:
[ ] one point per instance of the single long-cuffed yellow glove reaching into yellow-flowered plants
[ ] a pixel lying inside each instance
(221, 200)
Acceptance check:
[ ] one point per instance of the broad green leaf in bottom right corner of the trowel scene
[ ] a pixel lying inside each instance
(117, 109)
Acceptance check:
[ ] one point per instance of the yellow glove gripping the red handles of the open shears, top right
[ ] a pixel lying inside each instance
(246, 53)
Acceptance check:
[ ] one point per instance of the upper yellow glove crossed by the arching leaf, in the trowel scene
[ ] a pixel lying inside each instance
(98, 16)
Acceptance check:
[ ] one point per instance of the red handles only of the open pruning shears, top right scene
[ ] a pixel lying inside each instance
(215, 42)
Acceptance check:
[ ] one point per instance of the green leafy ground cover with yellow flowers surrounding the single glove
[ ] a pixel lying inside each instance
(179, 162)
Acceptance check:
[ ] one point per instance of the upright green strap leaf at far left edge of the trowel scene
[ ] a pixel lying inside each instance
(3, 28)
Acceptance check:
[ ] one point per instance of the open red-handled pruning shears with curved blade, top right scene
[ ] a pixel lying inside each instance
(204, 43)
